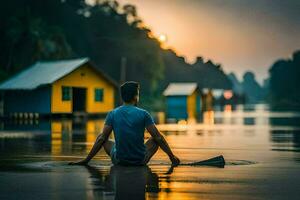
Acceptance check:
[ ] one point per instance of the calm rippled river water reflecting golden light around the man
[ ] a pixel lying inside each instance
(250, 132)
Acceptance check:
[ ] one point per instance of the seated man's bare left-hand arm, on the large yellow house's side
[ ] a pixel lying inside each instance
(101, 139)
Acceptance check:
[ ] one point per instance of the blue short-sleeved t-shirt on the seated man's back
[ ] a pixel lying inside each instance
(129, 123)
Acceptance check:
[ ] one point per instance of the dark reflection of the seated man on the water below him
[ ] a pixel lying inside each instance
(124, 182)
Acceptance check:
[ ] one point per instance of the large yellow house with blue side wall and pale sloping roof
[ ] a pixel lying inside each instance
(60, 87)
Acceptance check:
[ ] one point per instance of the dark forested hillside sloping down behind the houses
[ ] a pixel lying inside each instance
(110, 34)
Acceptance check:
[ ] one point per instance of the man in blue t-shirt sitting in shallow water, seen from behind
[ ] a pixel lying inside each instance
(128, 123)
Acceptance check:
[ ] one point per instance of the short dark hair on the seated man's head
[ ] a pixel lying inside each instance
(129, 90)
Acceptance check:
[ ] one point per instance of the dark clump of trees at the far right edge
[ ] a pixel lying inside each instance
(284, 82)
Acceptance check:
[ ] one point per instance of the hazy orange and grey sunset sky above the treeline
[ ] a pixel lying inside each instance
(239, 34)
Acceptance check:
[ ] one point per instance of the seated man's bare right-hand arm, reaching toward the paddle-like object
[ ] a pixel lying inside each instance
(160, 140)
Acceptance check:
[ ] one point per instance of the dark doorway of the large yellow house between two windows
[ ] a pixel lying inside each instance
(79, 99)
